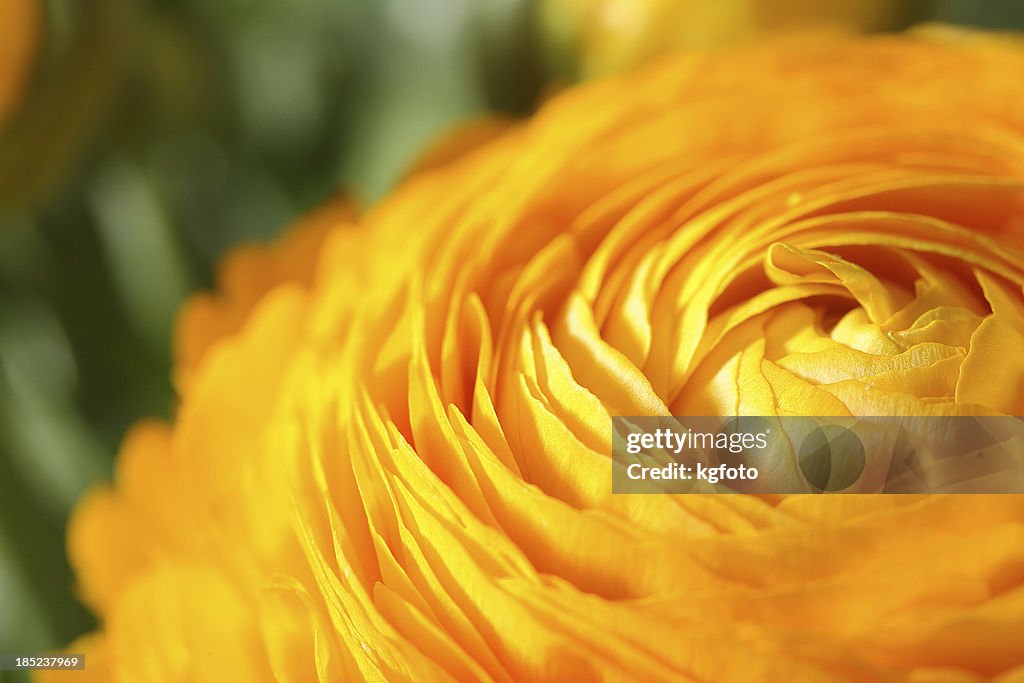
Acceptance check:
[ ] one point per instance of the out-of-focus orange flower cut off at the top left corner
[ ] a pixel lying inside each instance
(19, 33)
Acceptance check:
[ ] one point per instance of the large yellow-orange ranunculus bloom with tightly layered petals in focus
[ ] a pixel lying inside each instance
(397, 466)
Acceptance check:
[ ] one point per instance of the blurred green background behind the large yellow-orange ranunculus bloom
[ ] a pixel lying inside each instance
(154, 135)
